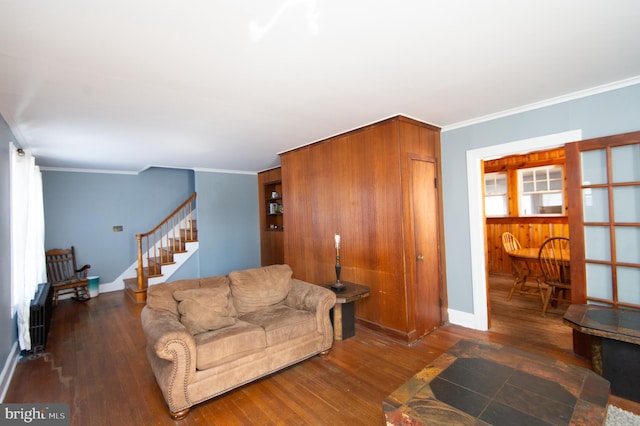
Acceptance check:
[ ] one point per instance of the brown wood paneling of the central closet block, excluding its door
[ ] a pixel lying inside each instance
(352, 184)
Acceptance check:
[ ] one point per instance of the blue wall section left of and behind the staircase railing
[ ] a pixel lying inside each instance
(82, 208)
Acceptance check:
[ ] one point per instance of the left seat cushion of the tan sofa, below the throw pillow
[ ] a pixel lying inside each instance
(227, 344)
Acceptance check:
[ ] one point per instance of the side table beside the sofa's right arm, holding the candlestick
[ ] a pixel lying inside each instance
(343, 313)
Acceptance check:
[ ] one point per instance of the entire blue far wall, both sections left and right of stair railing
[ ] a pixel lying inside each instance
(82, 208)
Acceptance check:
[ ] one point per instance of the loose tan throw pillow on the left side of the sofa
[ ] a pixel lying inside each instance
(206, 308)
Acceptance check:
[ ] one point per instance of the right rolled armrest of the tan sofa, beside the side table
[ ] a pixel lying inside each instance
(314, 298)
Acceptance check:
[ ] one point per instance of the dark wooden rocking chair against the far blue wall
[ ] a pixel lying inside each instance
(64, 276)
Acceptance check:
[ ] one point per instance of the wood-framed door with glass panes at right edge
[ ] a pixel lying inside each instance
(608, 217)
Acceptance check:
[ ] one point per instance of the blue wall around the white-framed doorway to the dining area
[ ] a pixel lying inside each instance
(603, 114)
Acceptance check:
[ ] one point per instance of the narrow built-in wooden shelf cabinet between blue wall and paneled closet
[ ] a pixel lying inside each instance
(270, 202)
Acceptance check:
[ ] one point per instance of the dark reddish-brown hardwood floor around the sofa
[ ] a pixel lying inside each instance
(95, 360)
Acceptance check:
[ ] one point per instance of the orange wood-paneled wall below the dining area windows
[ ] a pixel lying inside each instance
(531, 232)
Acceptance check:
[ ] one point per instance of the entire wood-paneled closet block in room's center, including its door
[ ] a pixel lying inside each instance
(378, 188)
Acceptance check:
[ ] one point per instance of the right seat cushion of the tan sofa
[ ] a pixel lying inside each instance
(282, 323)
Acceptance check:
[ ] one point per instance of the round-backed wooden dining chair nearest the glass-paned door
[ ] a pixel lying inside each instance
(554, 264)
